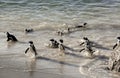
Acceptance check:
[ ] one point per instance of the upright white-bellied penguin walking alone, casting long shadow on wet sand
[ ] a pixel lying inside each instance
(31, 50)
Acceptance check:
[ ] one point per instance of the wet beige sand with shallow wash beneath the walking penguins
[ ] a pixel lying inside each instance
(49, 63)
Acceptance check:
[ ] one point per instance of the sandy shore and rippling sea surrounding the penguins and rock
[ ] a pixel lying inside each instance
(46, 18)
